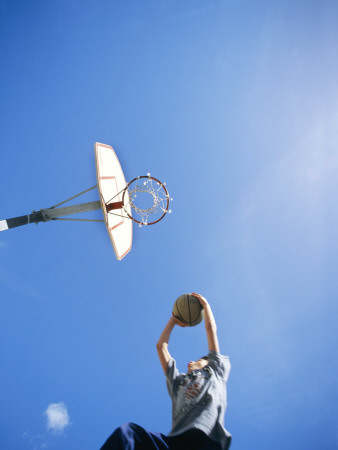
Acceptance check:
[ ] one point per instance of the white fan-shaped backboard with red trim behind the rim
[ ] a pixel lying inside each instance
(110, 184)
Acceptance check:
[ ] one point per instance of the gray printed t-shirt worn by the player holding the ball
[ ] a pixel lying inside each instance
(199, 398)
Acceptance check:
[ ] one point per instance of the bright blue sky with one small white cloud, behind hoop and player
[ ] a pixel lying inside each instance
(234, 104)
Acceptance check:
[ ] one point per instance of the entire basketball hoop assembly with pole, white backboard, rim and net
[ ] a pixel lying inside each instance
(144, 196)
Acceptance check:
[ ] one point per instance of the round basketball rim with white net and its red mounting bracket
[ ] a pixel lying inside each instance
(147, 197)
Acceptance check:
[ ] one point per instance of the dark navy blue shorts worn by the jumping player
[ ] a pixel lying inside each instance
(133, 437)
